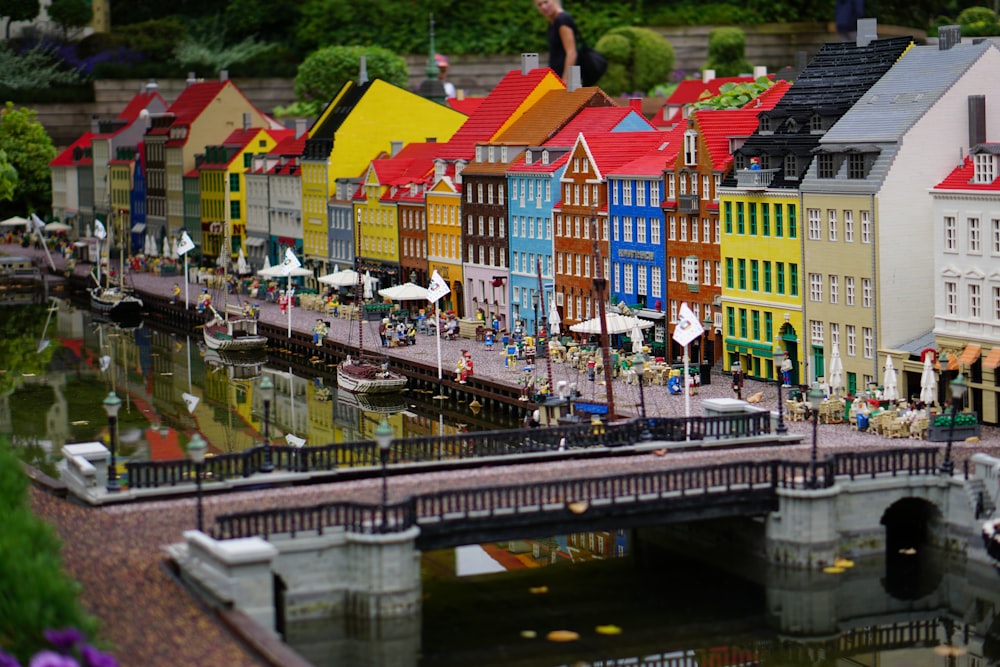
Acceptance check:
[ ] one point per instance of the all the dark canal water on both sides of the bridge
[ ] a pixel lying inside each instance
(600, 599)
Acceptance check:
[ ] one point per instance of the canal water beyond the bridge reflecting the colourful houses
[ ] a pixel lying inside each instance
(51, 393)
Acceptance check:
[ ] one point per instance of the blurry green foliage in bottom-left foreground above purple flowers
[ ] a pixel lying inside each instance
(37, 594)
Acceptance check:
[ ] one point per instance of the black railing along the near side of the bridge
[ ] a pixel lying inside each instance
(517, 500)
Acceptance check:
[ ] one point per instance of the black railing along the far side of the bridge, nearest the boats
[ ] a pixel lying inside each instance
(431, 449)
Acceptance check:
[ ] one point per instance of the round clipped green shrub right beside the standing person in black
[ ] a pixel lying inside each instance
(638, 59)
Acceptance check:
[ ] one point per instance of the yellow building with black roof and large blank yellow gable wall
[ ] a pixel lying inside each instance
(360, 123)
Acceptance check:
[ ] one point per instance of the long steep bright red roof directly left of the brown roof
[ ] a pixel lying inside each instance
(495, 110)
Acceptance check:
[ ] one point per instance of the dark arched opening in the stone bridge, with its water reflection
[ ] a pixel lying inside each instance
(913, 527)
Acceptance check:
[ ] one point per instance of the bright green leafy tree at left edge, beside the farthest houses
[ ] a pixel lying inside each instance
(29, 150)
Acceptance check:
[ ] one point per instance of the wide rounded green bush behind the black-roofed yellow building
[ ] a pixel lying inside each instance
(325, 72)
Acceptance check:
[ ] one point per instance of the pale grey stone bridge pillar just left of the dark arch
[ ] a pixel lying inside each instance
(803, 533)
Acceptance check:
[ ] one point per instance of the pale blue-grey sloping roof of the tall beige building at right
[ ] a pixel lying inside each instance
(900, 98)
